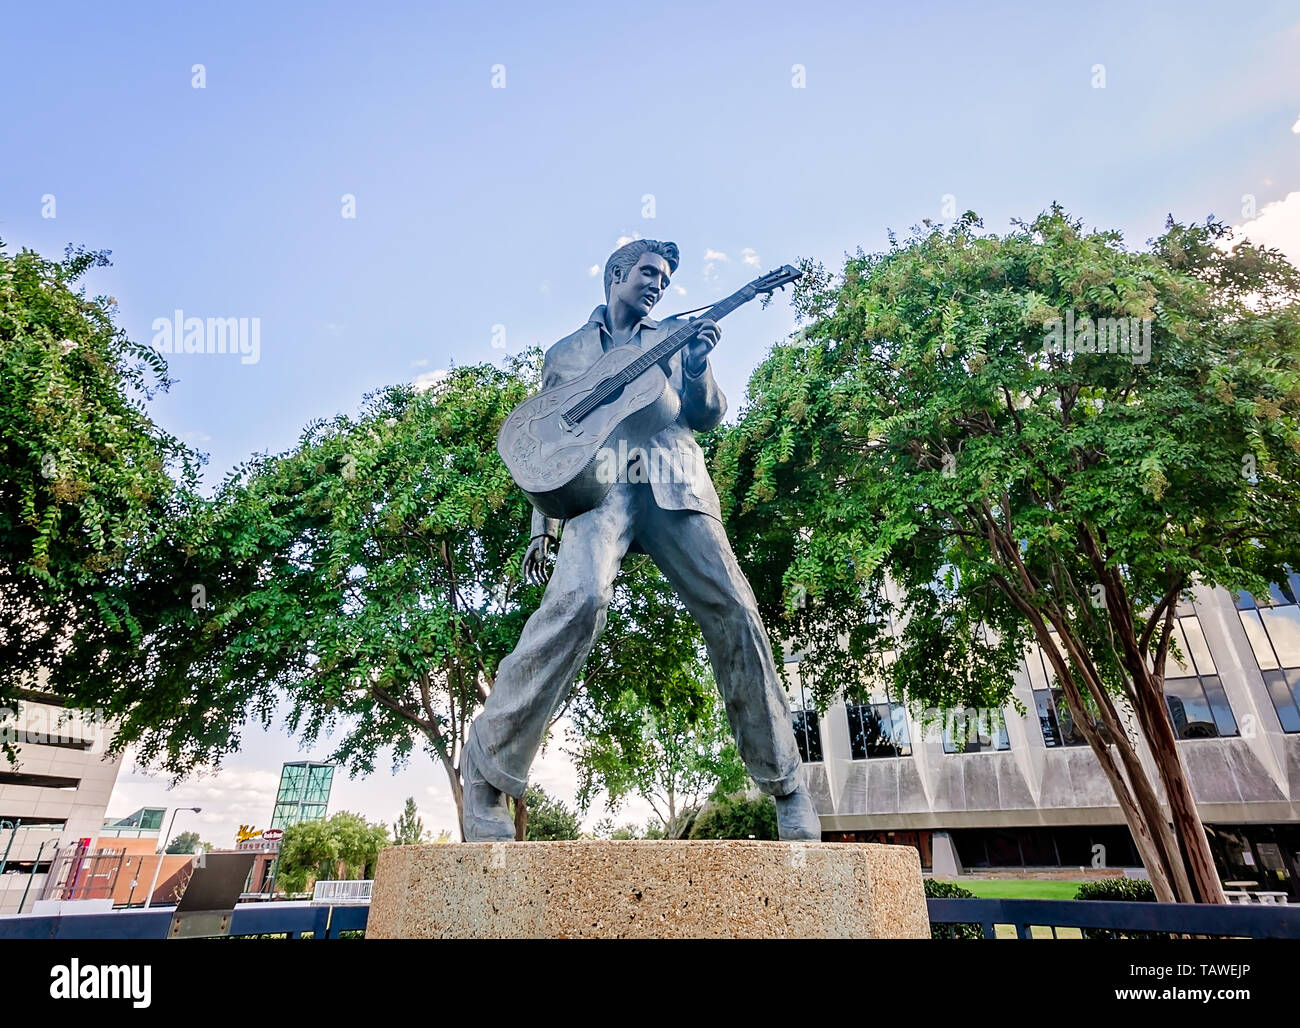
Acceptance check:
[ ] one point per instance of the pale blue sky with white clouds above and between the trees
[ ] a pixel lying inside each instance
(479, 207)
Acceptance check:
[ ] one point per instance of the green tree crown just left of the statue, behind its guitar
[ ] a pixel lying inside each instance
(370, 575)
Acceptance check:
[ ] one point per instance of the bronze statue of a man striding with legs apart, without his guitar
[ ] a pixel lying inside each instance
(673, 515)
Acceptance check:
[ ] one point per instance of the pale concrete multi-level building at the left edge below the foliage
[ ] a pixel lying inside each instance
(53, 797)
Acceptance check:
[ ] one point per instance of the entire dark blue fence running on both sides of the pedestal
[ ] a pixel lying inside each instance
(1102, 917)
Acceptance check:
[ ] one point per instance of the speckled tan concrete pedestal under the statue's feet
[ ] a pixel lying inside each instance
(649, 890)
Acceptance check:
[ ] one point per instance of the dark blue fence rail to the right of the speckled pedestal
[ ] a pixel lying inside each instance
(1111, 917)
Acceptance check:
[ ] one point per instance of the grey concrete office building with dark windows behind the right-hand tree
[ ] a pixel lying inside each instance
(1029, 793)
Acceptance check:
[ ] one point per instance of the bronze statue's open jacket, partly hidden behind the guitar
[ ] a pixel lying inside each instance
(678, 474)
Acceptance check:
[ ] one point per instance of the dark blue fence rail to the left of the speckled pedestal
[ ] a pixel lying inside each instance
(250, 919)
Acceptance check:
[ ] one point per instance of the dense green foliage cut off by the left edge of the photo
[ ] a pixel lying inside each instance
(90, 485)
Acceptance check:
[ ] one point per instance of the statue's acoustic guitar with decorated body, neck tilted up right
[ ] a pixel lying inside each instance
(551, 443)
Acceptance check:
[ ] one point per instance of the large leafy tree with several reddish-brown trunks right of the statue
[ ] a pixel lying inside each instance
(922, 430)
